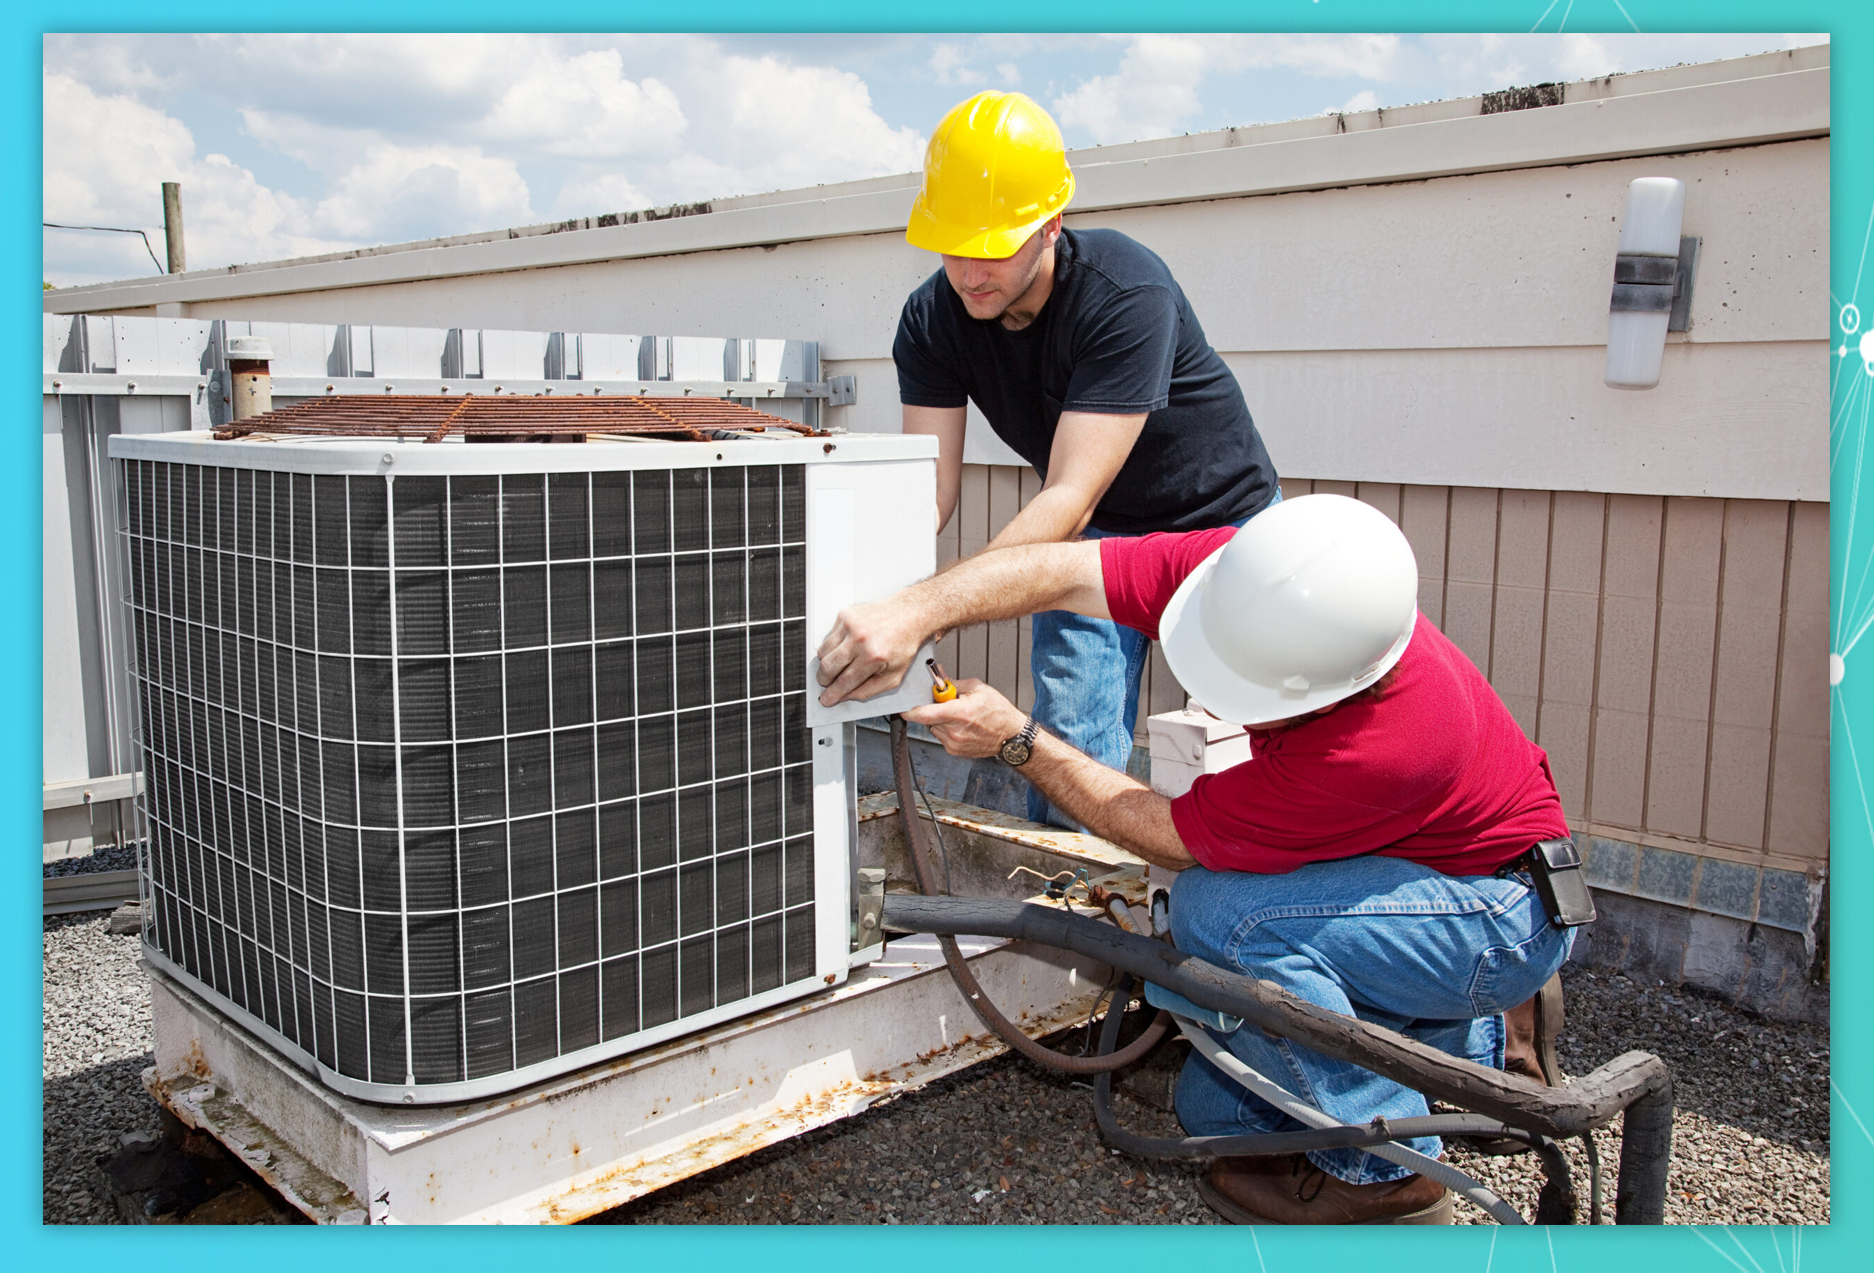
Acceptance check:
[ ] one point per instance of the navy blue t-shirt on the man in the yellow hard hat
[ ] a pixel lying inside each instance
(1114, 338)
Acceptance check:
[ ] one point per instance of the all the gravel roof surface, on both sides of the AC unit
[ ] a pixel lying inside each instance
(1007, 1143)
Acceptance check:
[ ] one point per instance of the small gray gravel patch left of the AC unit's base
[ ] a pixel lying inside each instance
(97, 1043)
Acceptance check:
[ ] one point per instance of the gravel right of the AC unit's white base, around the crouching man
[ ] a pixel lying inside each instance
(1751, 1139)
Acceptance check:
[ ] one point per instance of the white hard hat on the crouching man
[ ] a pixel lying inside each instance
(1311, 603)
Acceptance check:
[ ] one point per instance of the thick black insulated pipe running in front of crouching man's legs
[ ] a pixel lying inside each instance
(1635, 1079)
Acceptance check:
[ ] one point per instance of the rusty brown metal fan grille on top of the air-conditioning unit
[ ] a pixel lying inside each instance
(513, 419)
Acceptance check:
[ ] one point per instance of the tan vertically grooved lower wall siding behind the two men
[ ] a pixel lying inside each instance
(1669, 653)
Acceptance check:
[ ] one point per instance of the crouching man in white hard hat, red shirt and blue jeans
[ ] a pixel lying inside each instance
(1365, 860)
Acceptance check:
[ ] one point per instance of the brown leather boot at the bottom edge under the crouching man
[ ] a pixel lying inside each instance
(1290, 1190)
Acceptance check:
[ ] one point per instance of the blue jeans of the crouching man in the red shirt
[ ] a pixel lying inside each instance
(1433, 957)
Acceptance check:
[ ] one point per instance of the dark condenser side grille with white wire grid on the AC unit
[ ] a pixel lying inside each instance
(451, 777)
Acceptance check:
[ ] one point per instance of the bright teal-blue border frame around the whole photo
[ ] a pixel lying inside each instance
(1852, 702)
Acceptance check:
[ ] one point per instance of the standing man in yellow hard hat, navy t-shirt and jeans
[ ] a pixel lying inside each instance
(1084, 355)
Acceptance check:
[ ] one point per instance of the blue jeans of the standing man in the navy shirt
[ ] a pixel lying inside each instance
(1088, 685)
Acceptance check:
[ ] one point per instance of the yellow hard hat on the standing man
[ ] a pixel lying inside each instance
(994, 173)
